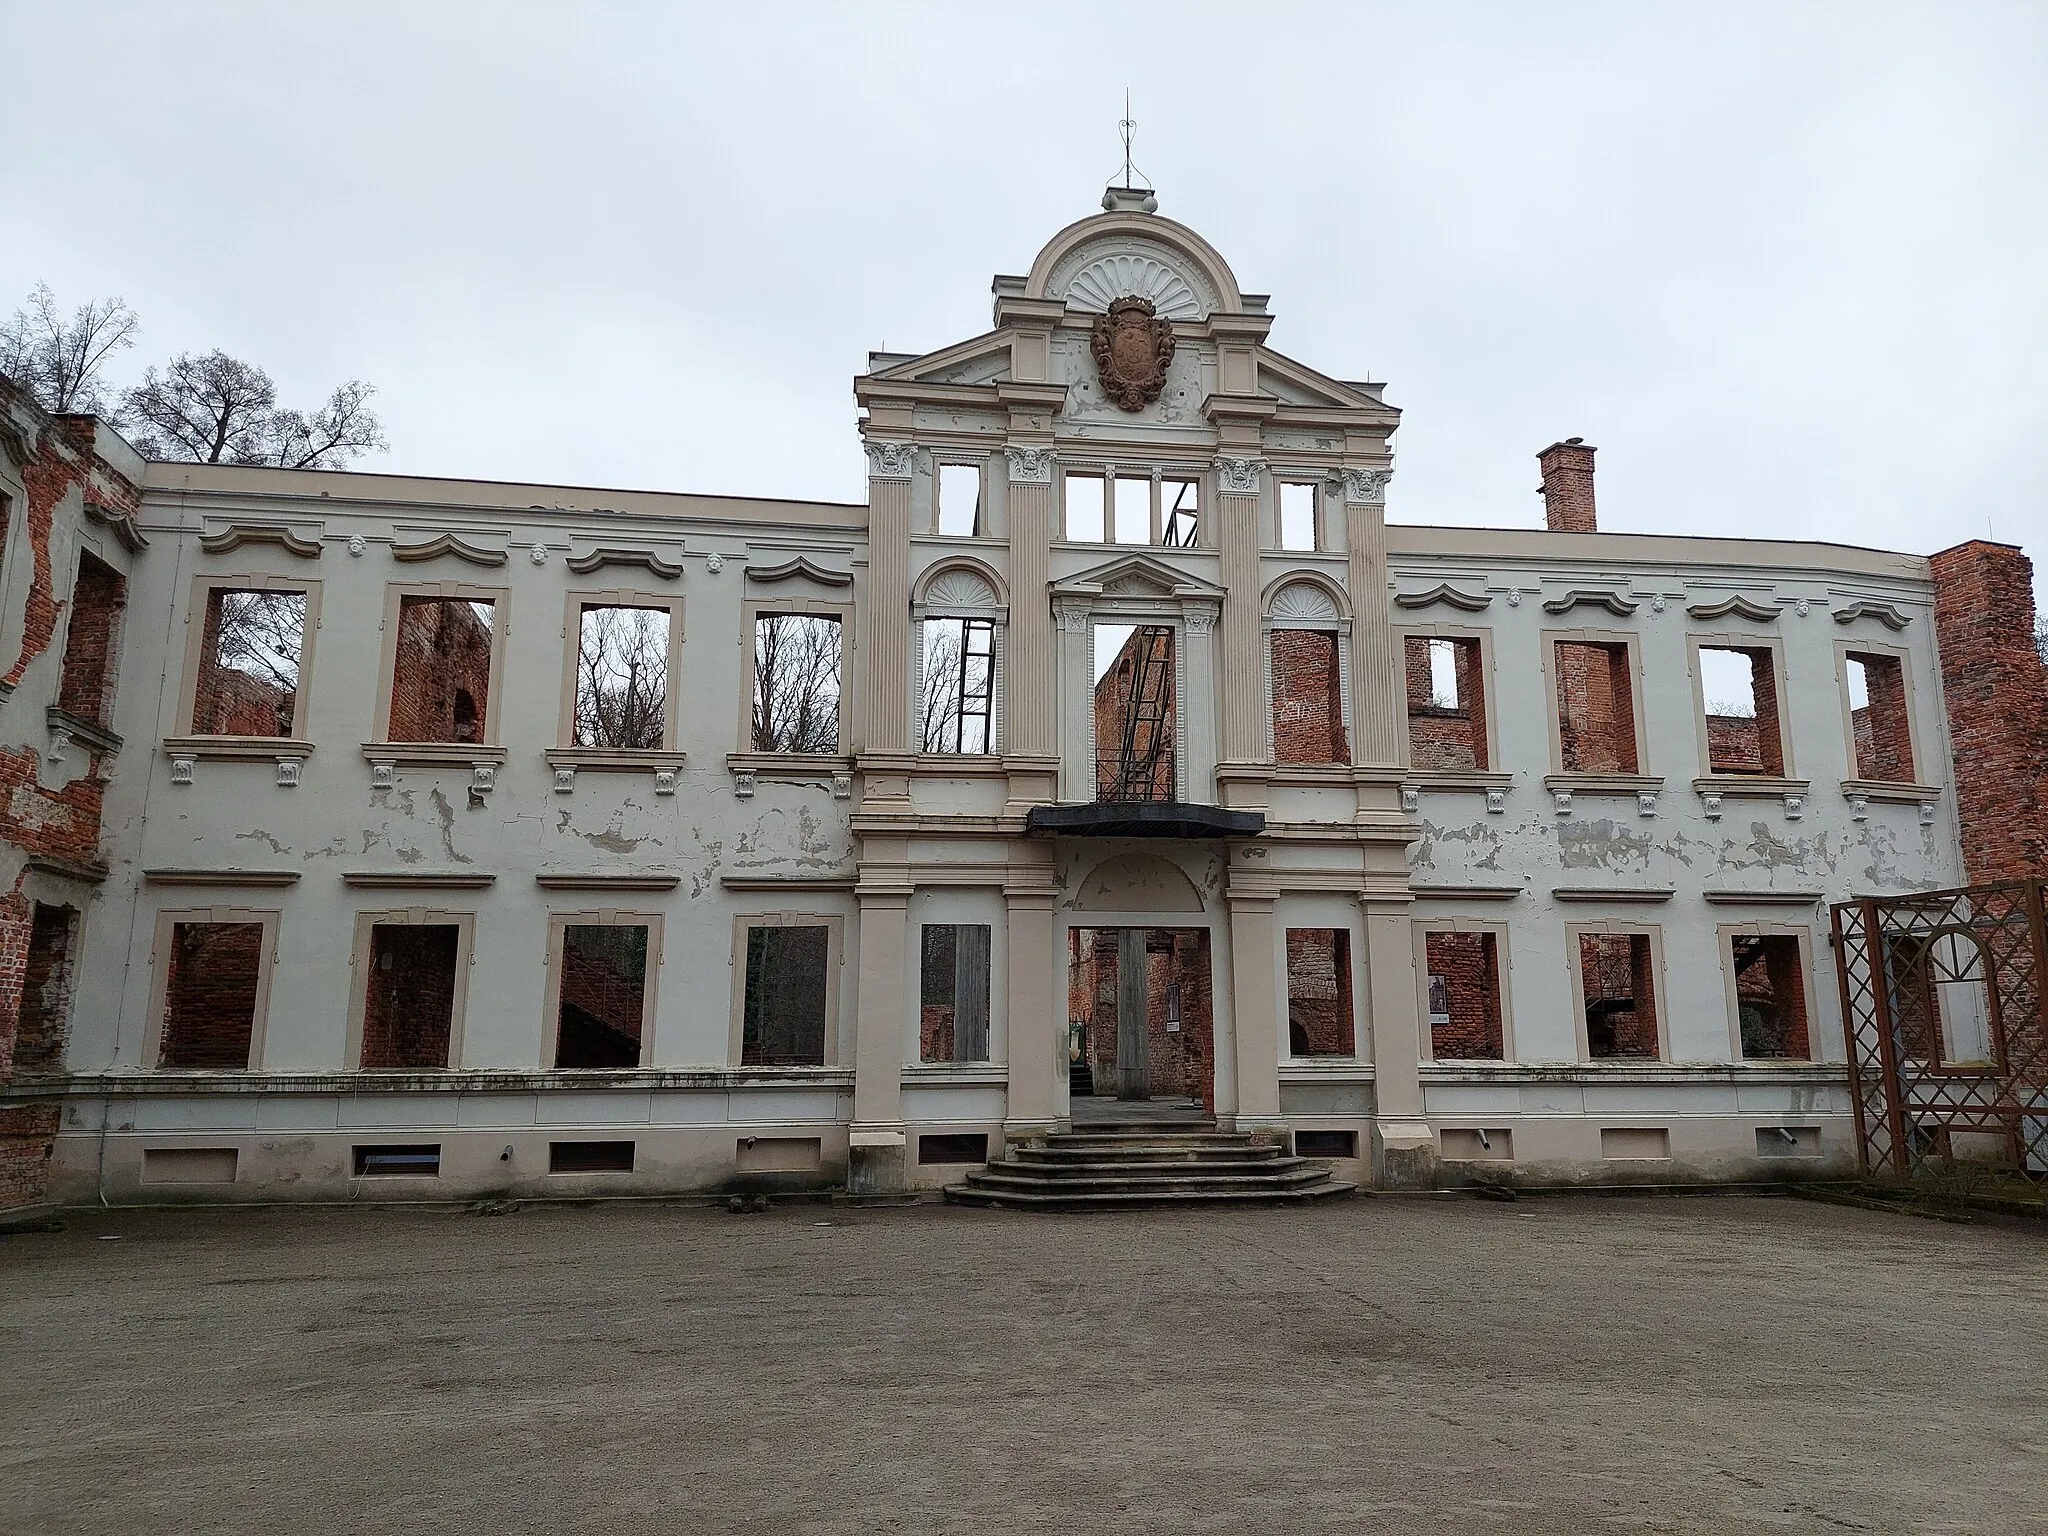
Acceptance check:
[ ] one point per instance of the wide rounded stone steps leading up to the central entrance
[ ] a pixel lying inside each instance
(1119, 1166)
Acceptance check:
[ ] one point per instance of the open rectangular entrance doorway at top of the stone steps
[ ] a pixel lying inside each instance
(1140, 1021)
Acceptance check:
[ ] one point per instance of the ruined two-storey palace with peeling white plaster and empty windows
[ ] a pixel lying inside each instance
(423, 839)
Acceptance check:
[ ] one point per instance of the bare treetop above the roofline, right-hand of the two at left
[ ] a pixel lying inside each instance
(214, 409)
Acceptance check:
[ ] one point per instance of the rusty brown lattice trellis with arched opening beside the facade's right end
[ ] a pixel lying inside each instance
(1943, 1005)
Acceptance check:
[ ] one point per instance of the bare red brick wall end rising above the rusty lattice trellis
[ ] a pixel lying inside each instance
(1998, 708)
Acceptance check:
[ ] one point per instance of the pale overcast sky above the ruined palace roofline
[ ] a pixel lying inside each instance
(1785, 263)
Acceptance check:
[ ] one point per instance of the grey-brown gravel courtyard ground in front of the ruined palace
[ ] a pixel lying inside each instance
(1367, 1367)
